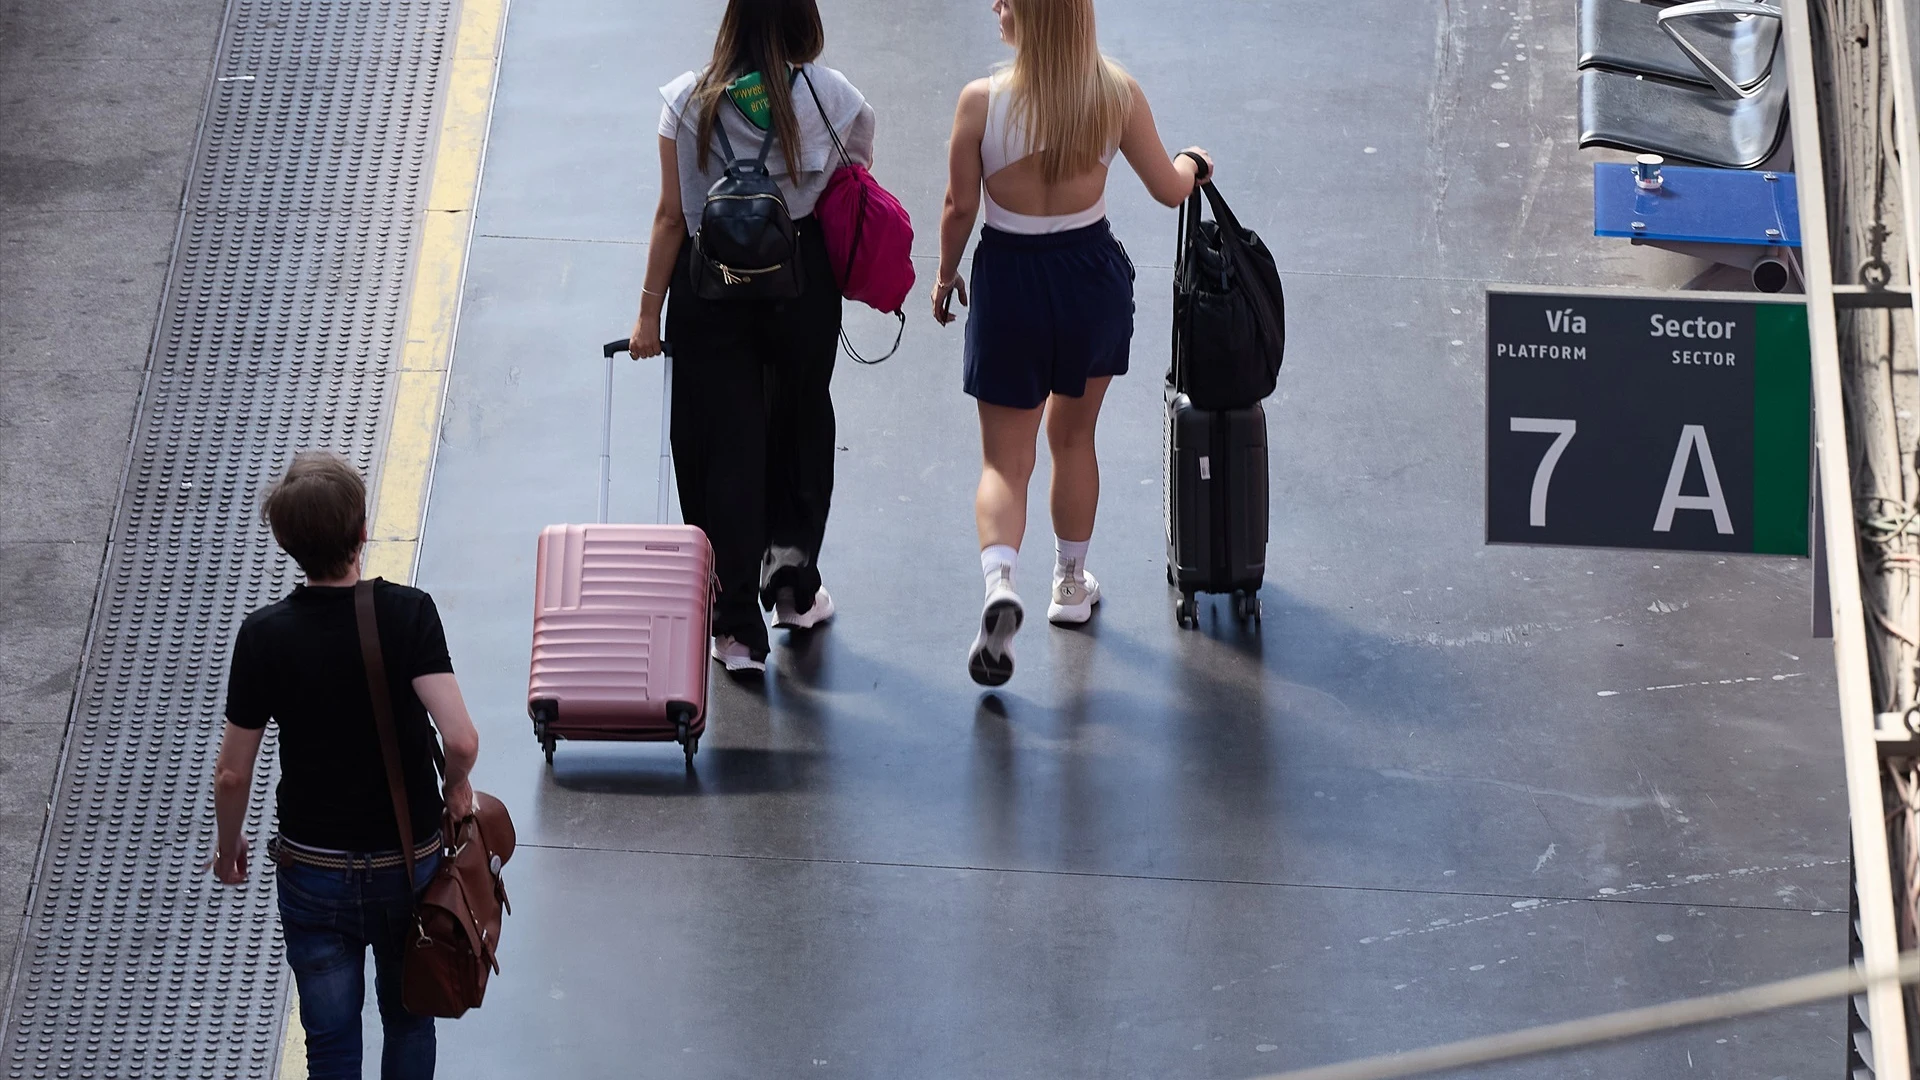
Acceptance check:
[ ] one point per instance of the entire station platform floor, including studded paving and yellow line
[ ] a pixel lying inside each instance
(1447, 789)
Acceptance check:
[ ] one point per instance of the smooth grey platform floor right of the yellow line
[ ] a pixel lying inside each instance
(1445, 791)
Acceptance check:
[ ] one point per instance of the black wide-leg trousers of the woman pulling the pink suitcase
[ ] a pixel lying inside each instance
(754, 433)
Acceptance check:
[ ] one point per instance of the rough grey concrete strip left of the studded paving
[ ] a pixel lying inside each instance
(101, 103)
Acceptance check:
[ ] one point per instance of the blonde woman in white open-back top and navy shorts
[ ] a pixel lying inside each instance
(1053, 291)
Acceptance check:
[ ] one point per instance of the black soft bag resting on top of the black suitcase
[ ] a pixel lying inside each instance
(1230, 312)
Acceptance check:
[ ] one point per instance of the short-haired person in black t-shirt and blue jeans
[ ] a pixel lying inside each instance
(343, 881)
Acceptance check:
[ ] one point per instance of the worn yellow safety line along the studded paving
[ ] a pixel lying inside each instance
(441, 264)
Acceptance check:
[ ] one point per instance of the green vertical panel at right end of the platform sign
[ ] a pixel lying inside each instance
(1783, 422)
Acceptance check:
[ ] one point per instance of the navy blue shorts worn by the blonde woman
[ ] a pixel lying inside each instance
(1047, 312)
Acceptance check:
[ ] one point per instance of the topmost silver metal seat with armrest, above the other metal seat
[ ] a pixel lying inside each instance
(1641, 39)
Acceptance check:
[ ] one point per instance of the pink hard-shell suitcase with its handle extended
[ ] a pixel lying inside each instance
(621, 620)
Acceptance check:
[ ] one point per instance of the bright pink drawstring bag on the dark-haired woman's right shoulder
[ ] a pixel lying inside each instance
(871, 237)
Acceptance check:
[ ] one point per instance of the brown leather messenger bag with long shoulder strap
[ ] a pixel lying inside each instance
(456, 921)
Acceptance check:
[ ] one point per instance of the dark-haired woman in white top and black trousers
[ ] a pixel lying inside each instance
(752, 414)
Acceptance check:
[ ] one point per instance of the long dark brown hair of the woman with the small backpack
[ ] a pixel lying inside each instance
(767, 37)
